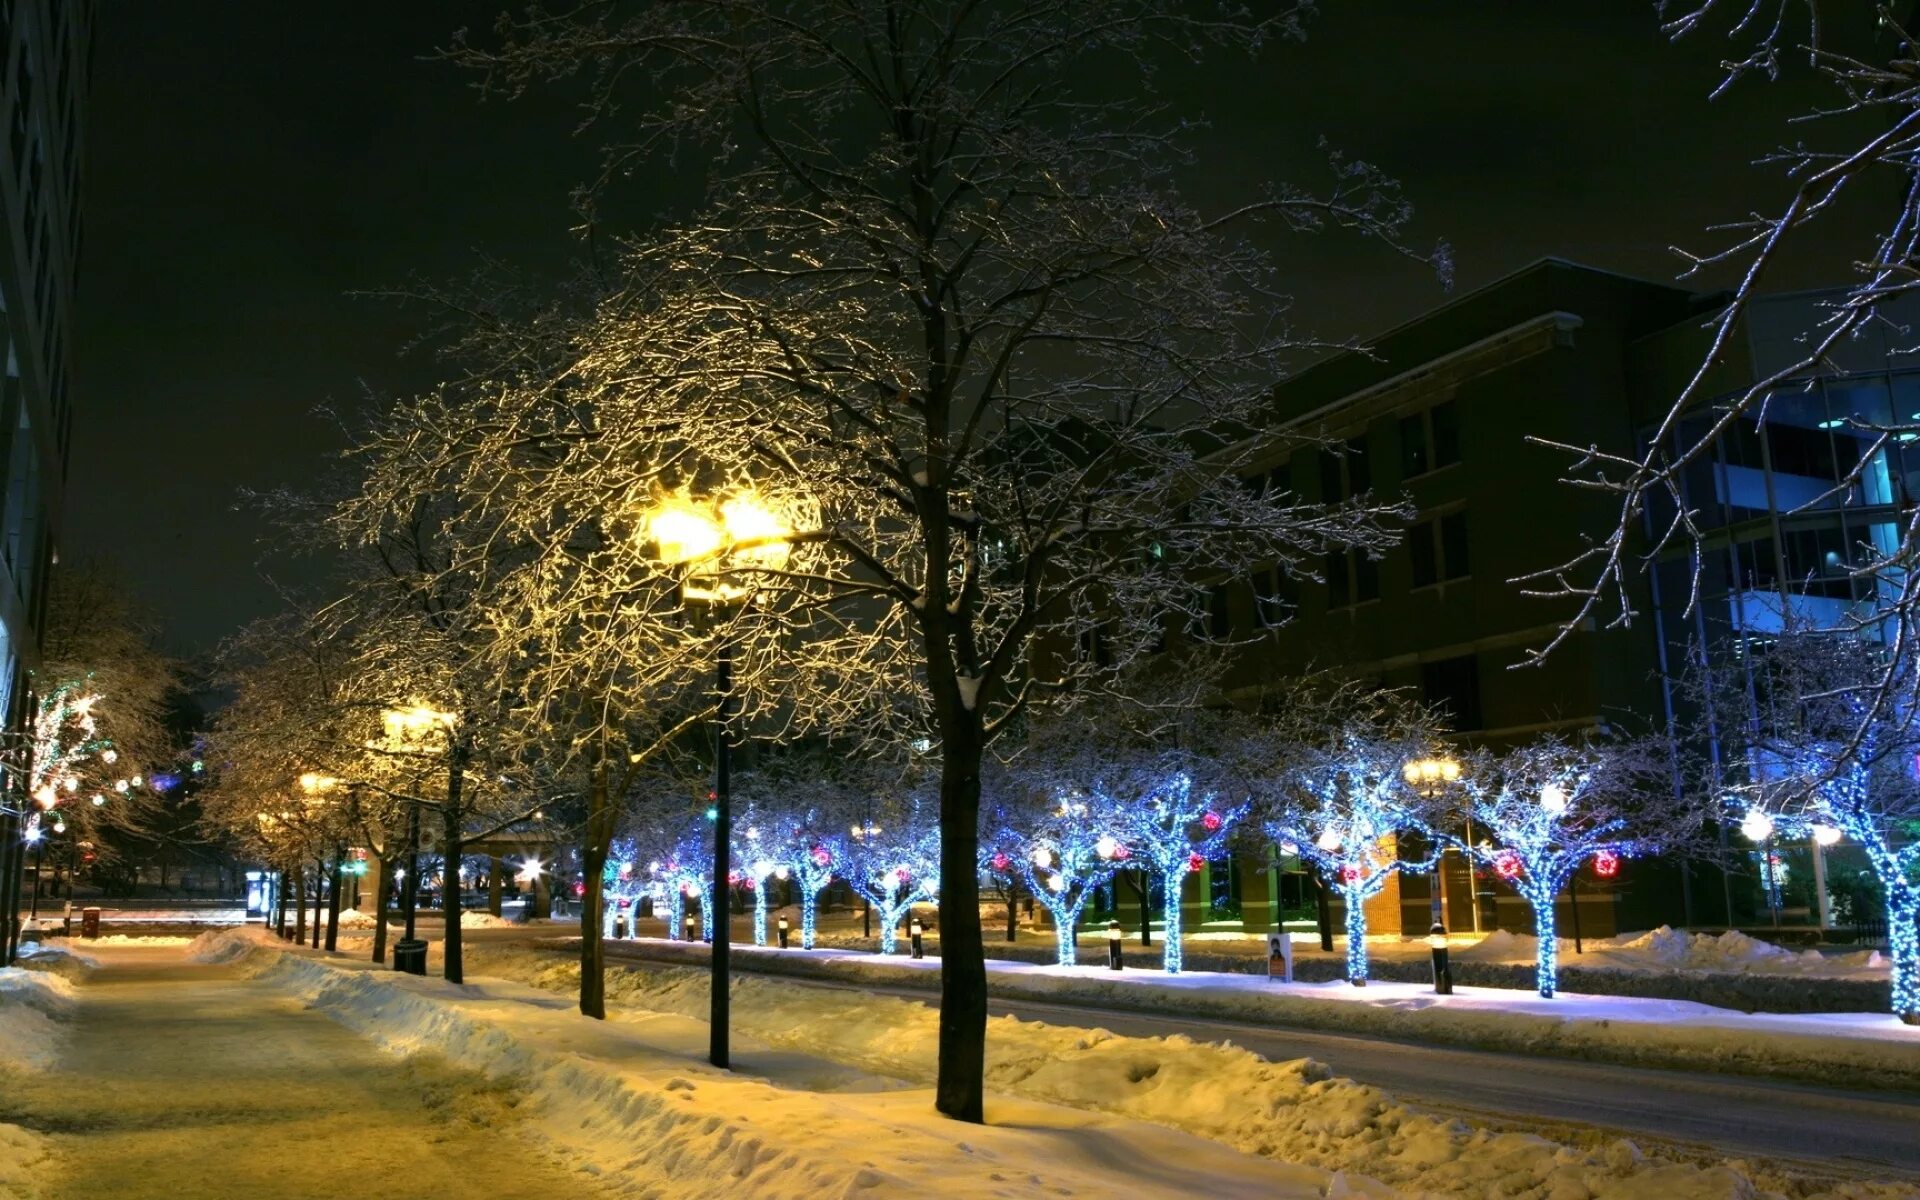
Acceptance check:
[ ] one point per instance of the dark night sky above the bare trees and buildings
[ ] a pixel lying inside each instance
(252, 166)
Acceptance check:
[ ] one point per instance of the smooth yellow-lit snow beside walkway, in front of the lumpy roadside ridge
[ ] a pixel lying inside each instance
(638, 1109)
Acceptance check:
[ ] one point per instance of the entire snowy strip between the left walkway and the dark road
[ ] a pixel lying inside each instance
(1074, 1113)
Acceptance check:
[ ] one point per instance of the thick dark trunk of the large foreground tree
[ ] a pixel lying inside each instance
(963, 1051)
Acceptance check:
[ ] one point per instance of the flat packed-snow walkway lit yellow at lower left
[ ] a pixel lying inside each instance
(189, 1082)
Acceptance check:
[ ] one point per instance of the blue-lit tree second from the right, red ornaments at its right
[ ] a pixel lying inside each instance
(1550, 807)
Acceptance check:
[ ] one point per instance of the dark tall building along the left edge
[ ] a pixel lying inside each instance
(43, 78)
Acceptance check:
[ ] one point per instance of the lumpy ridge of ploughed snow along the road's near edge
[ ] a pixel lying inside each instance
(1284, 1111)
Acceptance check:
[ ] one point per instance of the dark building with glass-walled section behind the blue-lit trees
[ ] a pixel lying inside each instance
(1447, 412)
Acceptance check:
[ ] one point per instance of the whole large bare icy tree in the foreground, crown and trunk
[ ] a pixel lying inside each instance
(965, 329)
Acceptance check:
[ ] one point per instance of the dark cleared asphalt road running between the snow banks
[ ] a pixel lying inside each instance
(1714, 1116)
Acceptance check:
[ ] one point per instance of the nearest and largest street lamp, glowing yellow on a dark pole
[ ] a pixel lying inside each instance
(715, 544)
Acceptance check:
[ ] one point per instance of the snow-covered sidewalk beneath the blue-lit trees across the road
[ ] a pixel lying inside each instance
(1865, 1049)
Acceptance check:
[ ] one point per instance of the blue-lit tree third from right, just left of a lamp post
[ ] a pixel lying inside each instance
(1341, 807)
